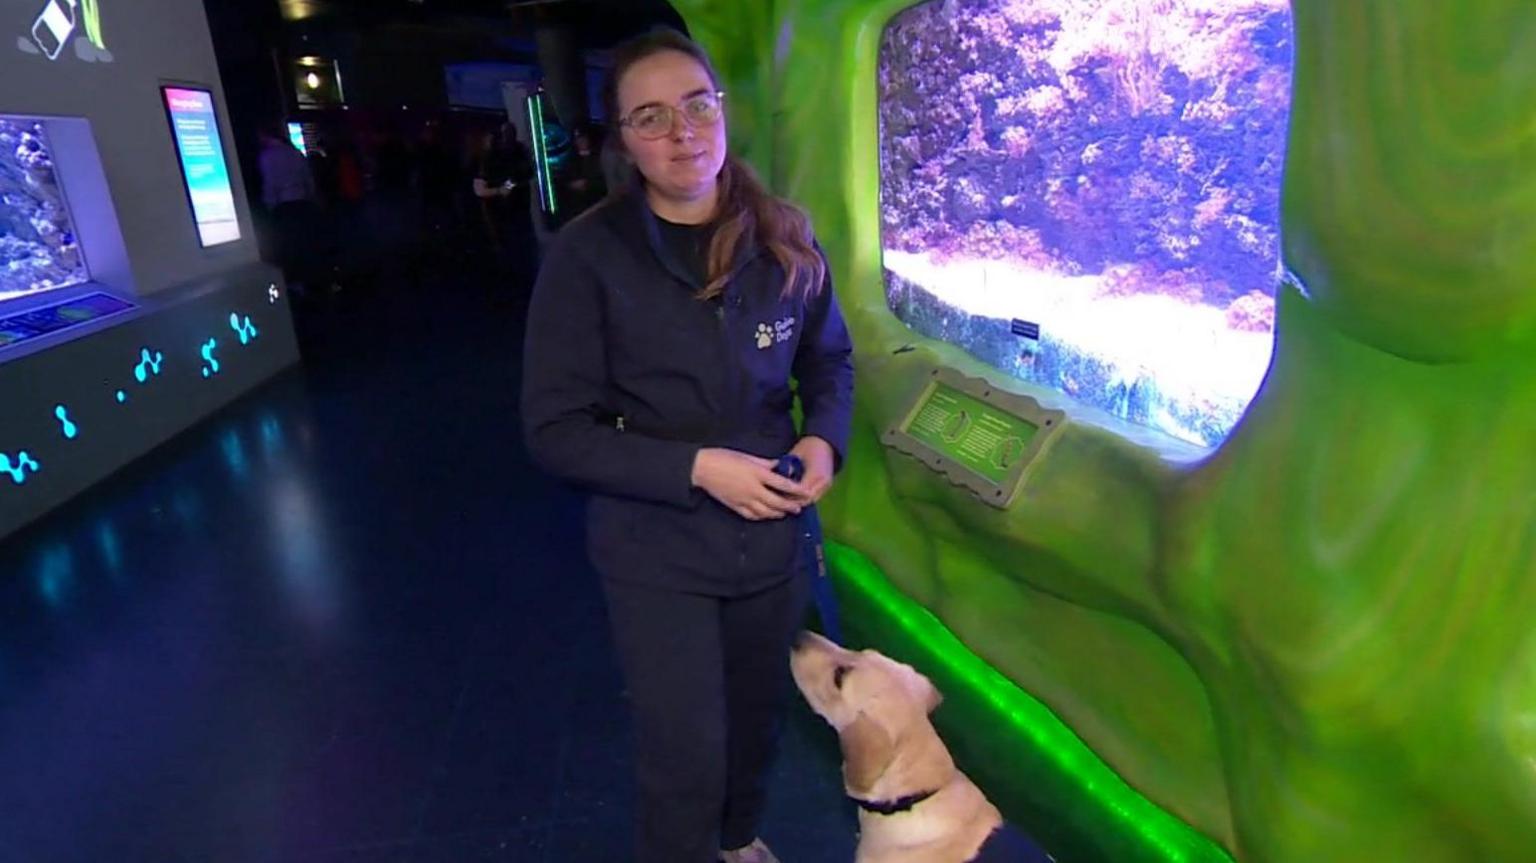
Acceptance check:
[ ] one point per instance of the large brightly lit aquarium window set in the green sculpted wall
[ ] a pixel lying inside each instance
(1085, 194)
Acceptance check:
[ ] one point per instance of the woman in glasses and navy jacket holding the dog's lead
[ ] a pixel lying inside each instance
(664, 332)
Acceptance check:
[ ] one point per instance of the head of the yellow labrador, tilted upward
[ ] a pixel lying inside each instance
(879, 709)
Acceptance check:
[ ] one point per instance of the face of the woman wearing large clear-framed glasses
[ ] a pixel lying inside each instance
(681, 151)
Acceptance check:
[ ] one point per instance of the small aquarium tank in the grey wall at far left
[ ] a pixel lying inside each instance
(38, 237)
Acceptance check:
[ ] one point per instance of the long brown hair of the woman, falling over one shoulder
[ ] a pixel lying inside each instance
(746, 211)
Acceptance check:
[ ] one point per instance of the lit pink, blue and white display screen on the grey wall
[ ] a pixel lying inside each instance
(204, 168)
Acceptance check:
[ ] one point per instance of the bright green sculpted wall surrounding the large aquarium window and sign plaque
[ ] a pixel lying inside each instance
(1319, 643)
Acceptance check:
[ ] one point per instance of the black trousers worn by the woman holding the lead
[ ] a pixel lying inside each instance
(709, 684)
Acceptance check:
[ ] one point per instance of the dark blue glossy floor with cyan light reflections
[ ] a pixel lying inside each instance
(343, 621)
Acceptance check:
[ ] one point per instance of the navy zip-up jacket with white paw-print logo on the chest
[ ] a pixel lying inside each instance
(627, 375)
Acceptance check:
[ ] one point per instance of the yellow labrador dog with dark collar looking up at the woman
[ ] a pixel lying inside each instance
(916, 807)
